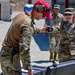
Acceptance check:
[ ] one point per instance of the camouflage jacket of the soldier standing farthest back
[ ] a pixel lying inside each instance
(57, 19)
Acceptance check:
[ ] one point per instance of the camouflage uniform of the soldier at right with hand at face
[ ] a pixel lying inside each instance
(67, 43)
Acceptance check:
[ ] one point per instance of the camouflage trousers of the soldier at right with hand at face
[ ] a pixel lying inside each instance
(64, 54)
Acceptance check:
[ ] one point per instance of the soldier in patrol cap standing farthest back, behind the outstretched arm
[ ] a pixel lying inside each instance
(55, 37)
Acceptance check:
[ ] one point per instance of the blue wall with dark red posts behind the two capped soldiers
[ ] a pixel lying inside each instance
(64, 4)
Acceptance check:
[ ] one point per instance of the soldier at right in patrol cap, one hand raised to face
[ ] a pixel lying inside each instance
(67, 42)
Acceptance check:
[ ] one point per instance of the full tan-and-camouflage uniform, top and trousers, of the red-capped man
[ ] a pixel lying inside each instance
(16, 45)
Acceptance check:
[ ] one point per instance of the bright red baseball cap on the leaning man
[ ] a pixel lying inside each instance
(46, 13)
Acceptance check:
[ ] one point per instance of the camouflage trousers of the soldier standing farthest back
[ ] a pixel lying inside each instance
(53, 49)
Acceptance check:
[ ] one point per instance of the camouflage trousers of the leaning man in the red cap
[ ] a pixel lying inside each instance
(10, 65)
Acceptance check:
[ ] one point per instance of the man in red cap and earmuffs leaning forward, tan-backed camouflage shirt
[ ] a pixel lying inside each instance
(16, 44)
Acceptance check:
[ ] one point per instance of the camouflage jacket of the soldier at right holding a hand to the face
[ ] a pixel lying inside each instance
(67, 32)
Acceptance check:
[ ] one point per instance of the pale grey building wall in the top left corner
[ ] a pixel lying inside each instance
(5, 9)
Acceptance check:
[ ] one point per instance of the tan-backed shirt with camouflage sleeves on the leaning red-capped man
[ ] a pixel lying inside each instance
(19, 36)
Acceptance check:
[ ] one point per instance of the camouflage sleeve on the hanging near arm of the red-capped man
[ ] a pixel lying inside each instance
(25, 47)
